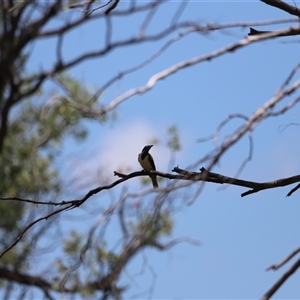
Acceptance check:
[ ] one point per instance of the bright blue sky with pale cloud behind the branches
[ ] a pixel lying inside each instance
(239, 237)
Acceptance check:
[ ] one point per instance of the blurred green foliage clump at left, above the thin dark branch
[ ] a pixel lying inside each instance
(35, 134)
